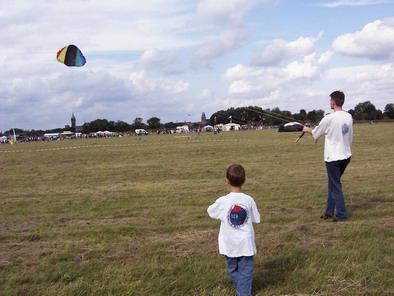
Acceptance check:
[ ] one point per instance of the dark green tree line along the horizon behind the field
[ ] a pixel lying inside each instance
(251, 115)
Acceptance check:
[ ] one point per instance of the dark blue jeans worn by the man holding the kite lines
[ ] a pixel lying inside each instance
(336, 200)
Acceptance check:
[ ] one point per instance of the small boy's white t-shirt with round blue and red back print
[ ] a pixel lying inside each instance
(237, 212)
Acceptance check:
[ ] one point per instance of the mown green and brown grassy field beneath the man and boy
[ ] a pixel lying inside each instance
(127, 216)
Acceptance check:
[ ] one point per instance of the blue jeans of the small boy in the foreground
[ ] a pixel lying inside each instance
(241, 272)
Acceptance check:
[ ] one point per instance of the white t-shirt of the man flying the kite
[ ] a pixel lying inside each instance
(338, 129)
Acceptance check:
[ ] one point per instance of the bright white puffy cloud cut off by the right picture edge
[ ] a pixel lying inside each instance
(375, 41)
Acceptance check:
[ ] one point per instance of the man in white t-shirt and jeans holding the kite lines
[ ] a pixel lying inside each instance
(338, 129)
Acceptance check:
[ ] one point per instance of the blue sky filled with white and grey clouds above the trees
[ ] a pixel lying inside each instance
(175, 59)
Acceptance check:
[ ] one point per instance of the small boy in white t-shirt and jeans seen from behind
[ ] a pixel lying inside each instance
(237, 211)
